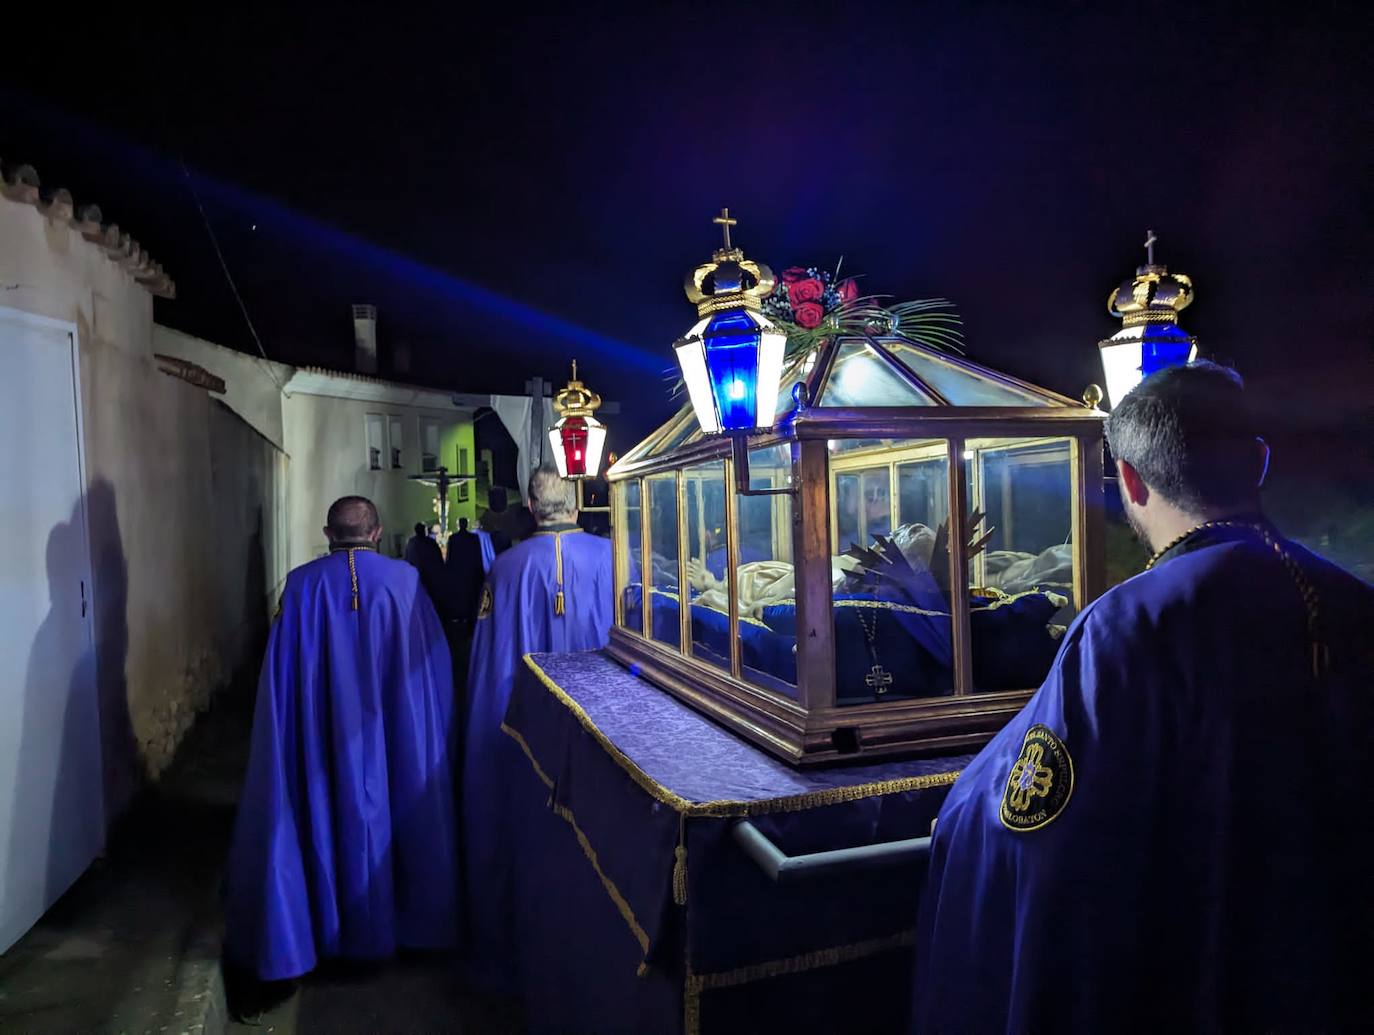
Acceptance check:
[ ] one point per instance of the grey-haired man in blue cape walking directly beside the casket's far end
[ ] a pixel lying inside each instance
(552, 593)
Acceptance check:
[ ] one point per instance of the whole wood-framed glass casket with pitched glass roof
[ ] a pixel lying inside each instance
(829, 611)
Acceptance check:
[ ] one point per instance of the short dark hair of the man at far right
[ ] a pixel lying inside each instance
(1191, 435)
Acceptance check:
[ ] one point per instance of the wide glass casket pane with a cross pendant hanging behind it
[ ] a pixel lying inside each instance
(894, 629)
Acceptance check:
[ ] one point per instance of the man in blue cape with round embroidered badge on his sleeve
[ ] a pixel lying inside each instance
(1175, 834)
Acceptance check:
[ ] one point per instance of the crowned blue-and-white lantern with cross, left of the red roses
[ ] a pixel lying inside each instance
(732, 359)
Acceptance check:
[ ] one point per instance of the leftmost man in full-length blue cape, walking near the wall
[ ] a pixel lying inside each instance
(347, 836)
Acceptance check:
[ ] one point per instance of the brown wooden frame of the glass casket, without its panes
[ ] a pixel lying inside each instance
(813, 729)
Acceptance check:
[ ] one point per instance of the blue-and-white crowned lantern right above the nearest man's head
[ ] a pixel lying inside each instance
(1151, 337)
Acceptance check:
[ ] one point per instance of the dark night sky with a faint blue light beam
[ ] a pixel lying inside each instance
(515, 190)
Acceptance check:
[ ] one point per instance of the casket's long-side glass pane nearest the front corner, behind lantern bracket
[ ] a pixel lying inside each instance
(767, 603)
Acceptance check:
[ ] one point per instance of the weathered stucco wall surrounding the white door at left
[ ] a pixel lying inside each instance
(174, 489)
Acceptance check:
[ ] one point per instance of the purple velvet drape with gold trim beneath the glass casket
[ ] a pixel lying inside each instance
(637, 911)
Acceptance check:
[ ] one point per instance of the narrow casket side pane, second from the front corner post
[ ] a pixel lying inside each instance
(708, 563)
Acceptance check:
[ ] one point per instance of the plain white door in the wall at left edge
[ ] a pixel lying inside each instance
(52, 805)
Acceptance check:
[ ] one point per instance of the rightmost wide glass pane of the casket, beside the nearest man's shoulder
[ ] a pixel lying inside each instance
(1022, 579)
